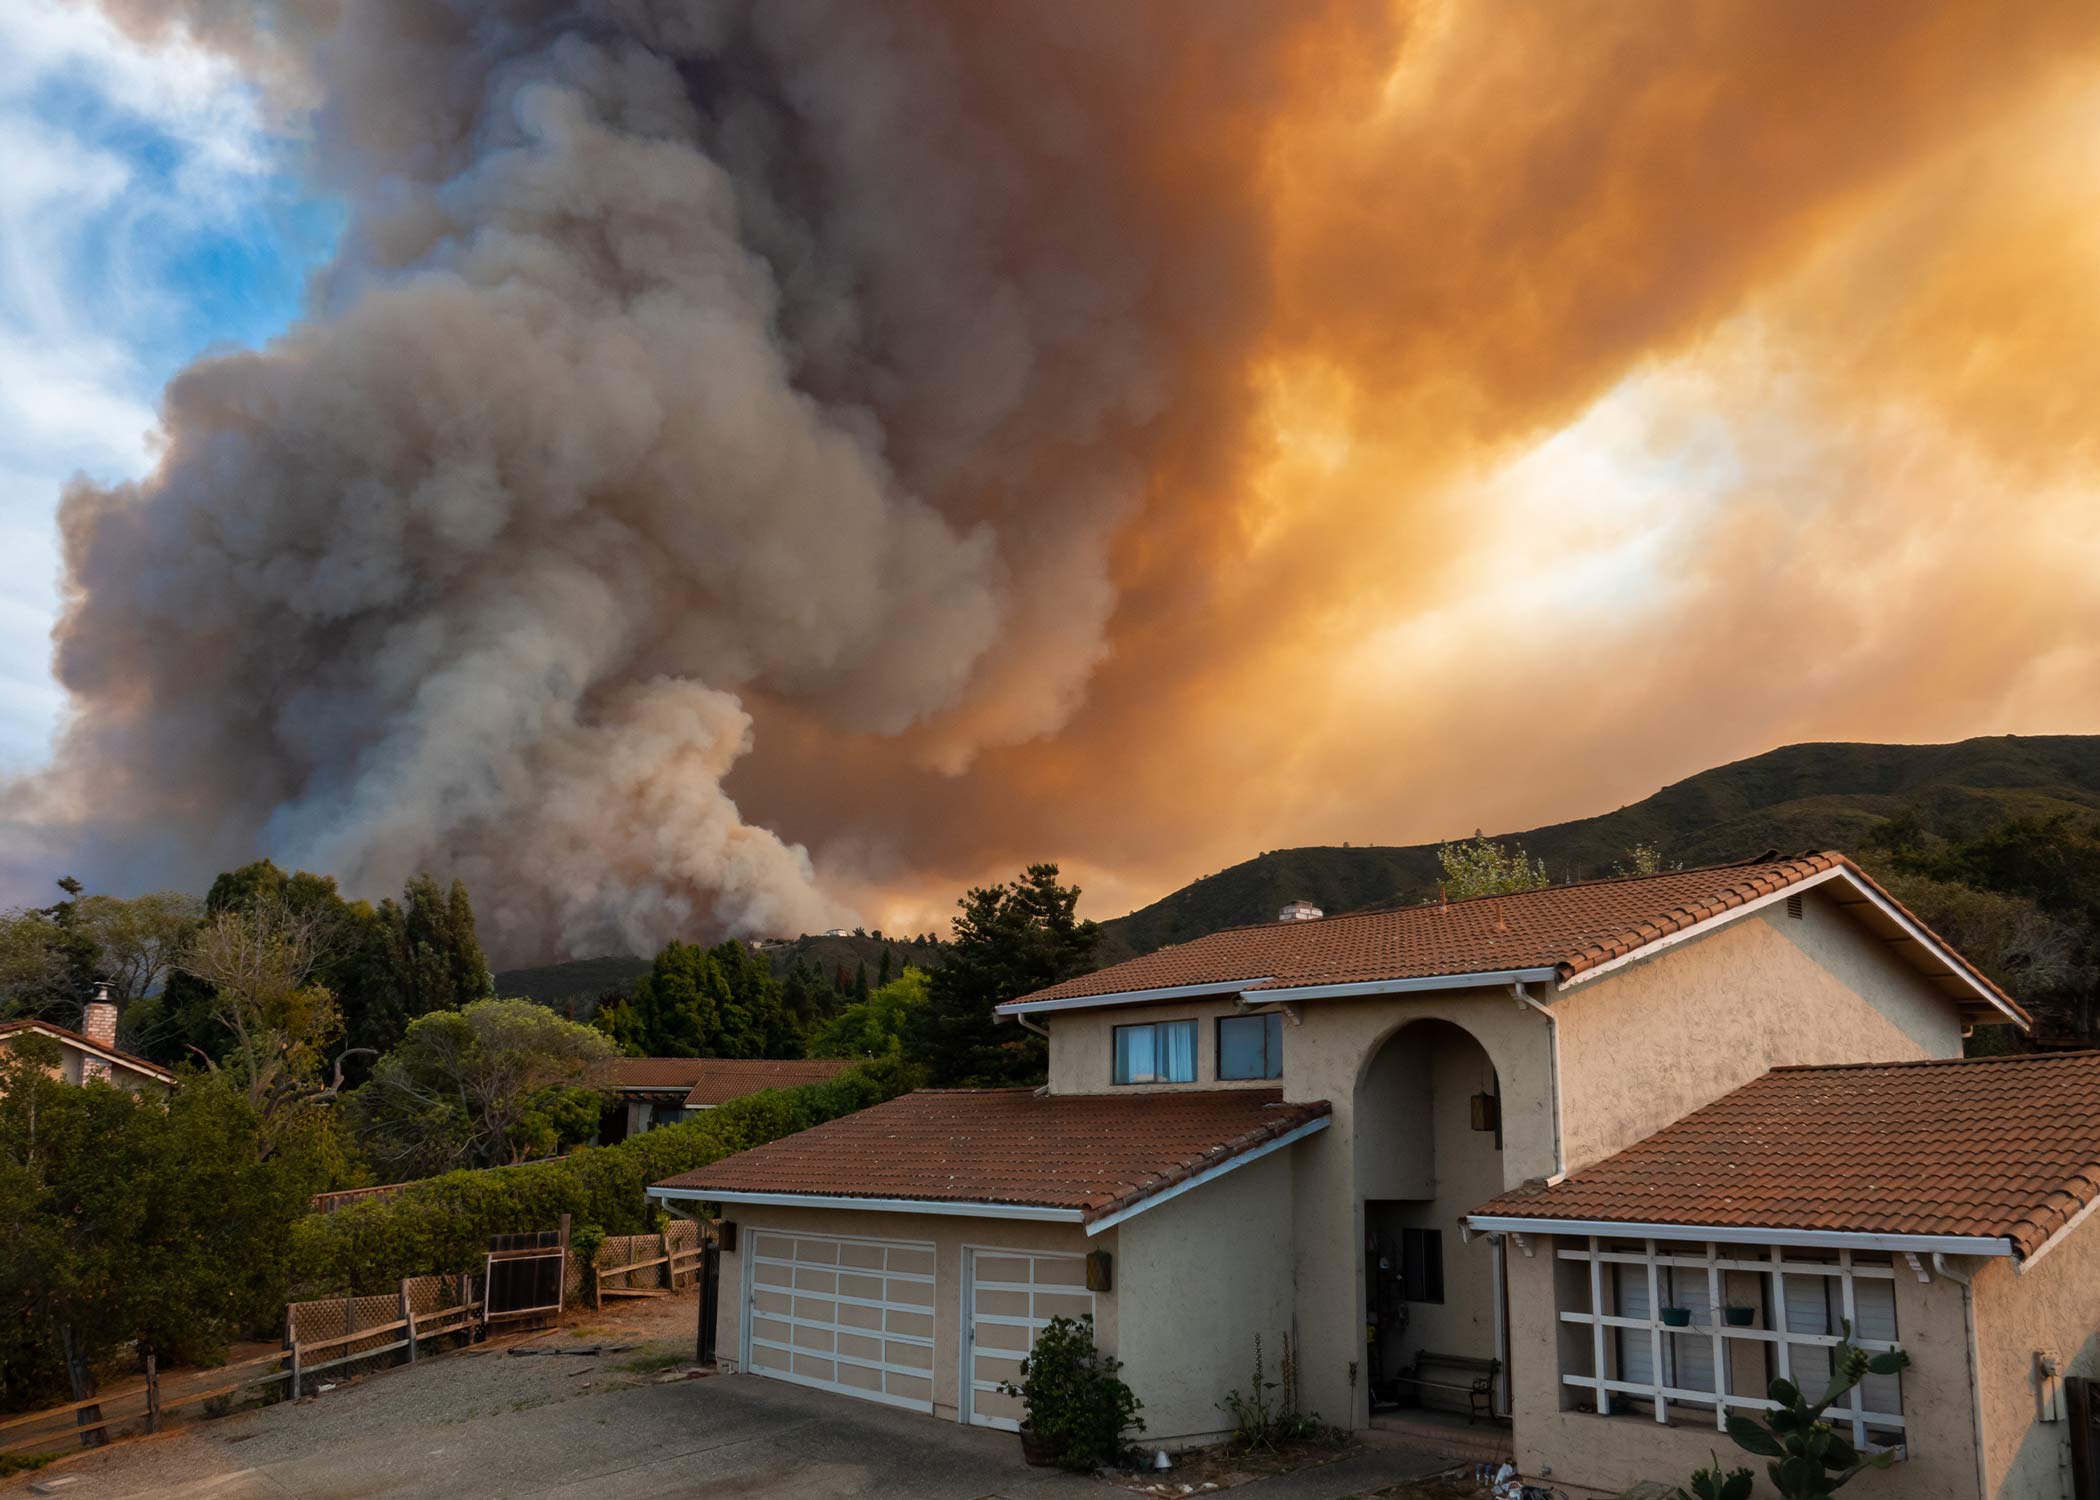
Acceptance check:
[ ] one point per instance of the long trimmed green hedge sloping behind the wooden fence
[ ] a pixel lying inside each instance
(444, 1224)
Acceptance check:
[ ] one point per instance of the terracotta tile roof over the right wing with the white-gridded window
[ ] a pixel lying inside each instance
(1992, 1146)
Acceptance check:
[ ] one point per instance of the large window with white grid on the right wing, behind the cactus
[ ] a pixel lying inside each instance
(1797, 1310)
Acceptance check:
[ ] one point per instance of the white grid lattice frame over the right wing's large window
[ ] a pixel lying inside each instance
(1595, 1255)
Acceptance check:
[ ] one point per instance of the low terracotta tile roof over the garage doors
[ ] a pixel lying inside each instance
(1013, 1146)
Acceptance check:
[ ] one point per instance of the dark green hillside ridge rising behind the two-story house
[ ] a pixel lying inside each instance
(1799, 797)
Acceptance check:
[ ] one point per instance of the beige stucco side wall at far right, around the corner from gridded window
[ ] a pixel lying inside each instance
(2055, 1306)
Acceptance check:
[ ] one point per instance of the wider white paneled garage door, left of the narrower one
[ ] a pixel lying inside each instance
(852, 1316)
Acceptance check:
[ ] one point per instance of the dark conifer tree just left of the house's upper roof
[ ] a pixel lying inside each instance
(1009, 942)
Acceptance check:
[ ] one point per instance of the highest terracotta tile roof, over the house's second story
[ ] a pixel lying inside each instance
(1557, 934)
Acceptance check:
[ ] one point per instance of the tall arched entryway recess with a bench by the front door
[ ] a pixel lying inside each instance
(1429, 1150)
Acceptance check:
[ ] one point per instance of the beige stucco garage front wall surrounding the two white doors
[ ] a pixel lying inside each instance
(948, 1236)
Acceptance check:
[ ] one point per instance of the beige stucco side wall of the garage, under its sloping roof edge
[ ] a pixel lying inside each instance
(1198, 1278)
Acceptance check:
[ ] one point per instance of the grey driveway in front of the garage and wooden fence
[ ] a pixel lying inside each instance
(566, 1430)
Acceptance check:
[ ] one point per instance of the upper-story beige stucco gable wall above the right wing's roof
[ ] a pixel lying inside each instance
(1650, 1043)
